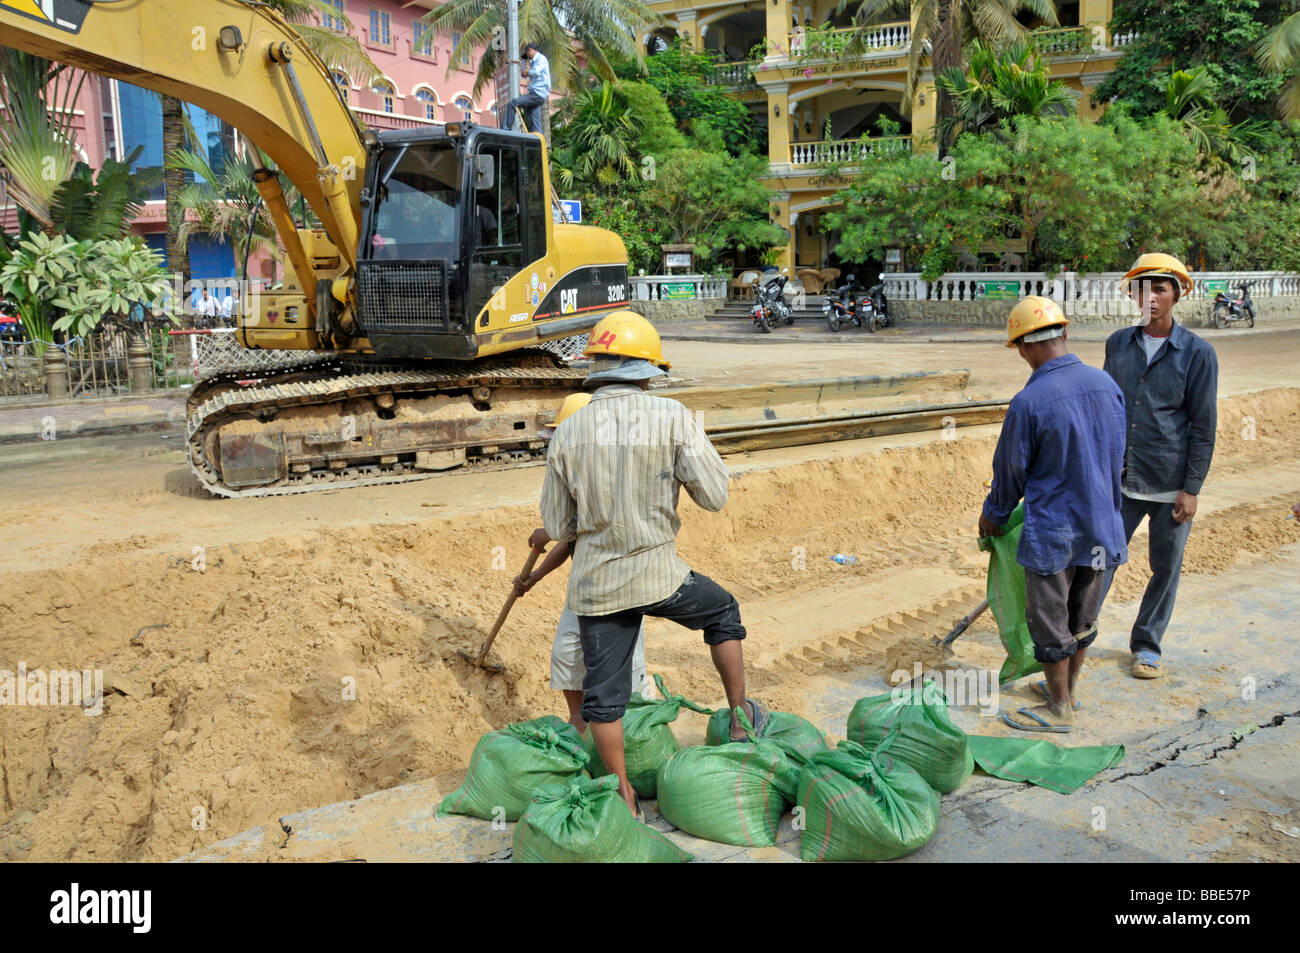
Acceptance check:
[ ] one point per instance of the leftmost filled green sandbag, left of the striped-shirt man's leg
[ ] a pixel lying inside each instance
(508, 766)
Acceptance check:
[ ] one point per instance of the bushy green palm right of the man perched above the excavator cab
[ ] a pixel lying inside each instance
(599, 138)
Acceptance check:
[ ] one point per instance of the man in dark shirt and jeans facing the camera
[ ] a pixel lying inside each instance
(1171, 383)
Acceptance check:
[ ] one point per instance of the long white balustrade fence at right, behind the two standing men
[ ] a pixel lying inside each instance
(1077, 294)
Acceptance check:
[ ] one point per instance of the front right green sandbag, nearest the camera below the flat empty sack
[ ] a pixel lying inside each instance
(864, 805)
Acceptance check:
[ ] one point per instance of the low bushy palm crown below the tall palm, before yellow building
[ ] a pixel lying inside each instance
(998, 86)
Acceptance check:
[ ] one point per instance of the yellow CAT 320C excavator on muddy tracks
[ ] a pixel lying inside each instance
(421, 304)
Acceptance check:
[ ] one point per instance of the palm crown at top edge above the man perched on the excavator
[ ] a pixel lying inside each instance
(601, 29)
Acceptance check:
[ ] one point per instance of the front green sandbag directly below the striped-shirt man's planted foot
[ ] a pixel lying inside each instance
(587, 822)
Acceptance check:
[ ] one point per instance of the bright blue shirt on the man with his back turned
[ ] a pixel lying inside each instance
(1061, 450)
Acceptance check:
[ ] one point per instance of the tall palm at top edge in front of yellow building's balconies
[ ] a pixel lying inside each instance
(941, 31)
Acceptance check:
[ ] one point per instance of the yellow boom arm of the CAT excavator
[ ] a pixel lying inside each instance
(237, 60)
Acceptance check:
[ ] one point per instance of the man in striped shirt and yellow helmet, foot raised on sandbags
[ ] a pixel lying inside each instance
(613, 476)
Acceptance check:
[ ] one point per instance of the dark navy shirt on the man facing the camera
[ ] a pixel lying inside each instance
(1172, 409)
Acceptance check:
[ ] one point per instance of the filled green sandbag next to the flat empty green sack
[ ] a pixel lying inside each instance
(928, 739)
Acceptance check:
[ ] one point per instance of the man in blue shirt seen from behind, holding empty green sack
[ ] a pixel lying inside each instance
(1061, 450)
